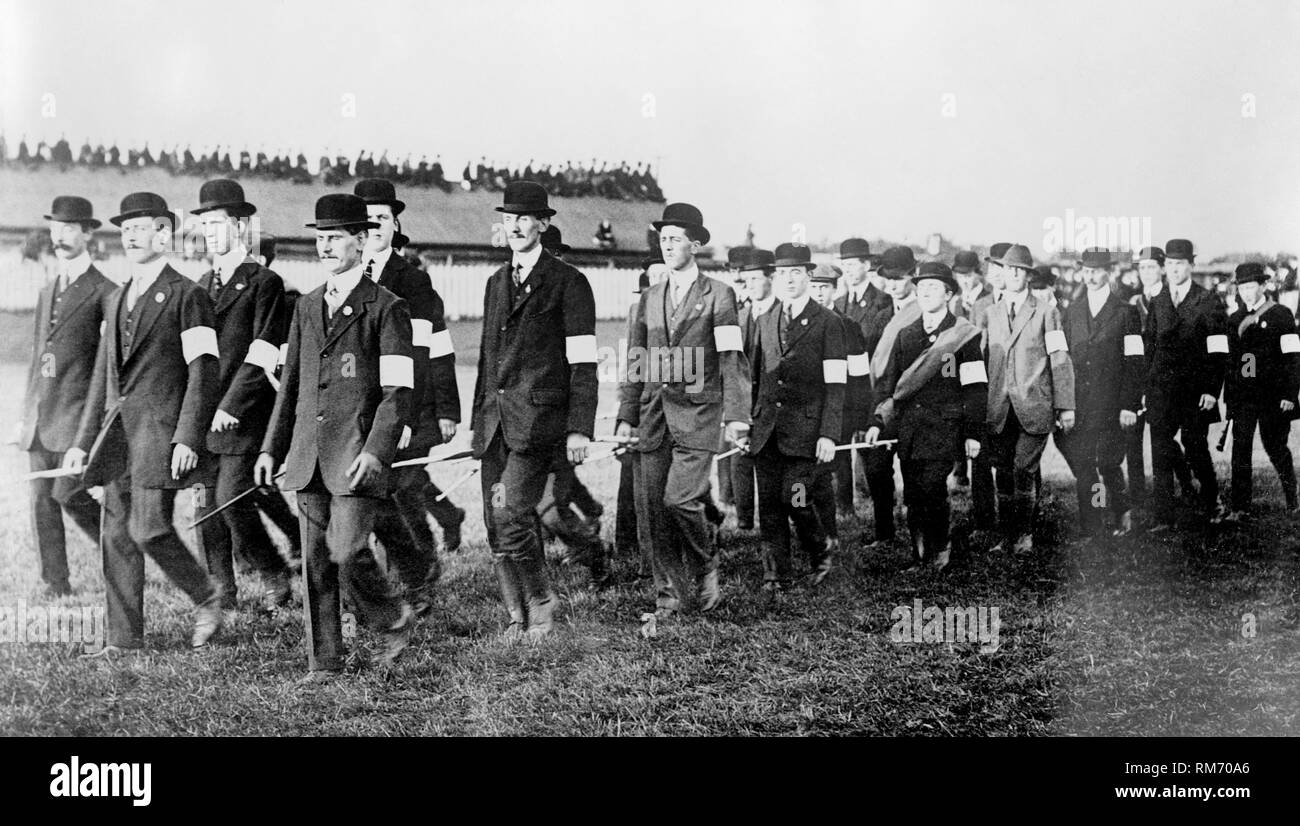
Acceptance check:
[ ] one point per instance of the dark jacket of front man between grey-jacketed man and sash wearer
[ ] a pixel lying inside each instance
(801, 386)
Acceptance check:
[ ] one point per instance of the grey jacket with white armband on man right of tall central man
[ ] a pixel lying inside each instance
(692, 412)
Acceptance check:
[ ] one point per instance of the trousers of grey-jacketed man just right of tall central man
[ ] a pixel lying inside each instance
(677, 488)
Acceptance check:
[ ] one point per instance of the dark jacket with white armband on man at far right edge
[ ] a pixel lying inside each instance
(1266, 362)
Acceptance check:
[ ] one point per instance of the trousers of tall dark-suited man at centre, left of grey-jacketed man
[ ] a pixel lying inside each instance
(513, 486)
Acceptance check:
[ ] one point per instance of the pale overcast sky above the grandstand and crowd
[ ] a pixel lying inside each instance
(980, 120)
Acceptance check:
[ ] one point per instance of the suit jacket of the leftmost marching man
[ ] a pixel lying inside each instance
(63, 362)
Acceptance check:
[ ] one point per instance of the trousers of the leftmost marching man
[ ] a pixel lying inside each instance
(51, 499)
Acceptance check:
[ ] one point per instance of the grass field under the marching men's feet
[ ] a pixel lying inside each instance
(1141, 638)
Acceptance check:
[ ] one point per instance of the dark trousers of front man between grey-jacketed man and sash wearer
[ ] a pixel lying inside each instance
(787, 492)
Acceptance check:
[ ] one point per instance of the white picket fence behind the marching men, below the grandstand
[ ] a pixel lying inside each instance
(460, 286)
